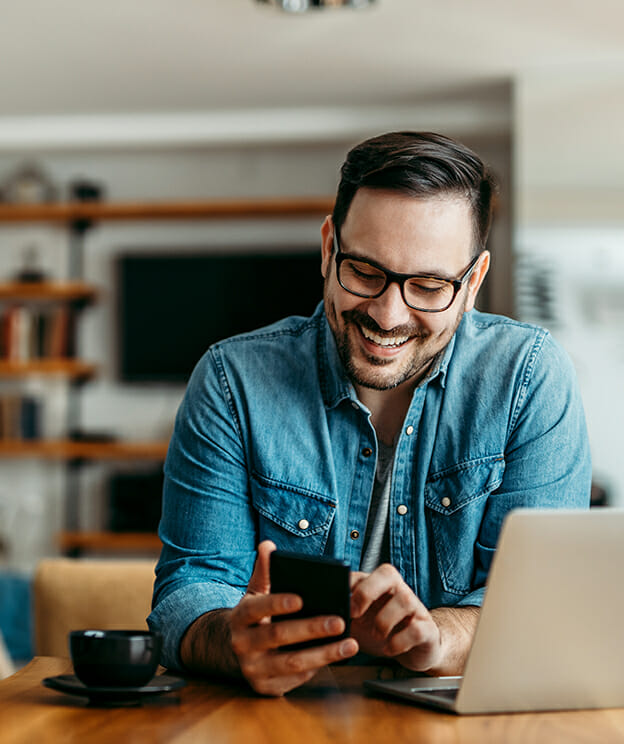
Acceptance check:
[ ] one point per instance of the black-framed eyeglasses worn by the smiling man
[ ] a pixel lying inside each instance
(429, 294)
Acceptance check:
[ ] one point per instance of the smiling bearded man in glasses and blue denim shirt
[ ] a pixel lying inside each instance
(395, 428)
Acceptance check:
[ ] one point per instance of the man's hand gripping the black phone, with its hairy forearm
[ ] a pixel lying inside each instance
(256, 642)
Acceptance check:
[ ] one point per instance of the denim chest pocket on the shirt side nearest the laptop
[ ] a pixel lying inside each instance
(455, 501)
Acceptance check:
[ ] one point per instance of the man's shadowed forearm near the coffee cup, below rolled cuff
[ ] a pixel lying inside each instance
(206, 646)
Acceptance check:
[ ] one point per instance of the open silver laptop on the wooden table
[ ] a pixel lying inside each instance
(550, 634)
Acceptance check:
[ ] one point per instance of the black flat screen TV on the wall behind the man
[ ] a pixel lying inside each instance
(172, 306)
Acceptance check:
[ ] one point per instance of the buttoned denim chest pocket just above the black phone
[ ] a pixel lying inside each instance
(295, 518)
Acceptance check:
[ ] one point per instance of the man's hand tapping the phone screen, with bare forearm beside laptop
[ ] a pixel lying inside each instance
(388, 619)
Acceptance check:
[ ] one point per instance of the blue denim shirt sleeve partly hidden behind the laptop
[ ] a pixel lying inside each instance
(547, 456)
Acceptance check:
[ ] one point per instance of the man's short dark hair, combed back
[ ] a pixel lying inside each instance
(421, 164)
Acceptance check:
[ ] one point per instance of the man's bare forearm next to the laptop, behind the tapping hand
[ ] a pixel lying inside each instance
(457, 626)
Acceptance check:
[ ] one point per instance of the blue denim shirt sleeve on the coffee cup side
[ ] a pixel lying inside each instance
(207, 526)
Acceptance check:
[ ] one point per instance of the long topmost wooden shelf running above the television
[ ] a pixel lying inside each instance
(185, 210)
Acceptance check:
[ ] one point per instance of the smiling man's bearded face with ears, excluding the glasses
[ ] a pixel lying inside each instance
(382, 342)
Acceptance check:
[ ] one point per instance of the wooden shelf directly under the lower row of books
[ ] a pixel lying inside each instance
(64, 449)
